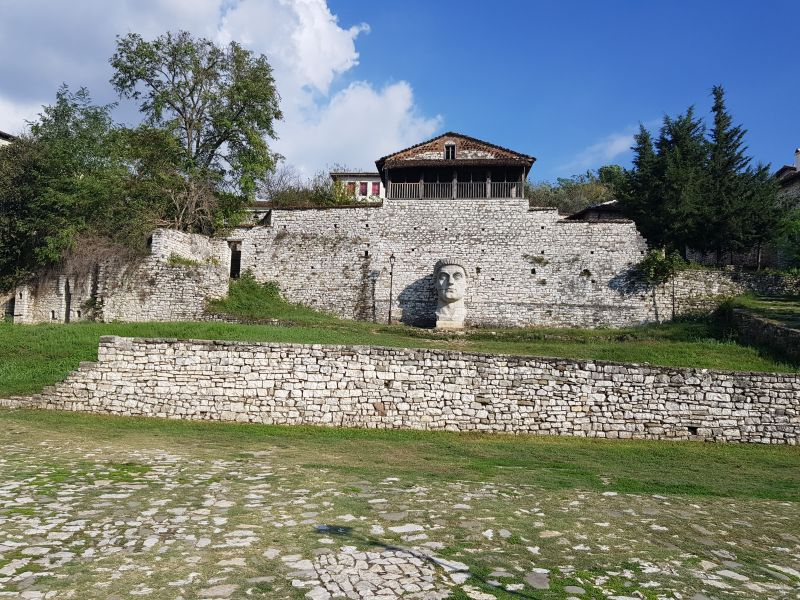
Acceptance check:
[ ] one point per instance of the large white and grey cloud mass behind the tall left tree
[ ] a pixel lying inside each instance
(54, 42)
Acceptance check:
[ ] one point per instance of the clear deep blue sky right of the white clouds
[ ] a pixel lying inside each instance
(568, 82)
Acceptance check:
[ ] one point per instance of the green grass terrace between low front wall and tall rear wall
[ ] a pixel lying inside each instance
(32, 357)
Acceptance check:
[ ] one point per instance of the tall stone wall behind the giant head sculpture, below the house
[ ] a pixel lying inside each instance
(525, 266)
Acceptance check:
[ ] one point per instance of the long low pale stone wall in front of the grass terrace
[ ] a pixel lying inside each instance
(428, 389)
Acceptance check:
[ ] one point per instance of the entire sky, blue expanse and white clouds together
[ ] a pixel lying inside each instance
(565, 81)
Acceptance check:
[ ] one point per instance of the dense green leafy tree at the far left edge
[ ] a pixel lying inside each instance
(55, 184)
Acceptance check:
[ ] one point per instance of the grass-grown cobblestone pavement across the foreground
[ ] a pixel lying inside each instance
(83, 520)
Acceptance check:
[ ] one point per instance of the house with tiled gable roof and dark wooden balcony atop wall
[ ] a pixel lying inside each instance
(453, 165)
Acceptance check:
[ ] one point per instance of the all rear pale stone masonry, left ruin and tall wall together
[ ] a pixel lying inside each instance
(524, 267)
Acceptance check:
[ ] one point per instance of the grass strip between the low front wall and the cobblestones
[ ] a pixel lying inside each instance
(625, 466)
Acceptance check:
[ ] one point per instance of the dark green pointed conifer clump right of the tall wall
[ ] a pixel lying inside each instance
(689, 190)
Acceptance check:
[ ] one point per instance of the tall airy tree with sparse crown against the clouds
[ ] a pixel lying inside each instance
(220, 103)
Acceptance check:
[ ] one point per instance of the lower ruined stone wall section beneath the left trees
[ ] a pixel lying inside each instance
(172, 283)
